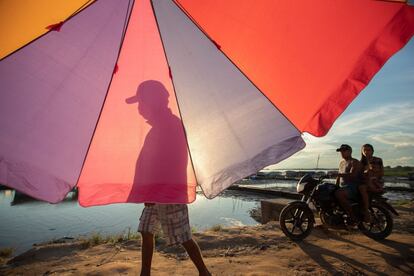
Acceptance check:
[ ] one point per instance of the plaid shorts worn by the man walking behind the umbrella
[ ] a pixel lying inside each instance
(173, 219)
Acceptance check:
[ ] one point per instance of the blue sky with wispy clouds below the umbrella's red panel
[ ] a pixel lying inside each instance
(381, 115)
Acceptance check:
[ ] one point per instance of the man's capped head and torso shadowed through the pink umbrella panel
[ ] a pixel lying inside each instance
(162, 162)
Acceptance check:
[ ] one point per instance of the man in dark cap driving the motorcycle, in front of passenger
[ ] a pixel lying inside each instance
(348, 179)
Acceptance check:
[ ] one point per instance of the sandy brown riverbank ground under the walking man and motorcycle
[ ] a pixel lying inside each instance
(258, 250)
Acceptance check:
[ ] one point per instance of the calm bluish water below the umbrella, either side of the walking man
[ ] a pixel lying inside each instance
(24, 221)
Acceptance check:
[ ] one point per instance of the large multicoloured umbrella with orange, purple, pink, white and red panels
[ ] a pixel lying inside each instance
(140, 101)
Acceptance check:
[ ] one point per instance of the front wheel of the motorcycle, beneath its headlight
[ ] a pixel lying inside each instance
(296, 221)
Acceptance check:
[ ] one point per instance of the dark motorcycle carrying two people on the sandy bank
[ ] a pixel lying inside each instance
(297, 219)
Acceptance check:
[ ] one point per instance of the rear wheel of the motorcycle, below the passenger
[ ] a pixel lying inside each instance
(381, 223)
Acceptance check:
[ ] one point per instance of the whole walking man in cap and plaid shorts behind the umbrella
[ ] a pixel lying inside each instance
(161, 172)
